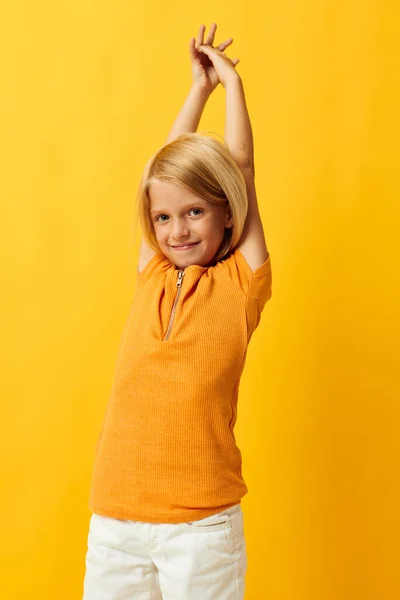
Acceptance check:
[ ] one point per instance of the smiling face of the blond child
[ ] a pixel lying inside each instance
(179, 217)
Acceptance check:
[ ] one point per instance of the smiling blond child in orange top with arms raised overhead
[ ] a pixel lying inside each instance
(167, 478)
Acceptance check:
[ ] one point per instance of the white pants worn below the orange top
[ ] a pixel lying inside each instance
(197, 560)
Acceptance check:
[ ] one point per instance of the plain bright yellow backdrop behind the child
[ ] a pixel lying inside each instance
(89, 91)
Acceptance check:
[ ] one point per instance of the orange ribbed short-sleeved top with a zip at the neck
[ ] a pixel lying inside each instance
(166, 452)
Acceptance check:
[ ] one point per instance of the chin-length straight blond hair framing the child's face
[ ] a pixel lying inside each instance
(205, 166)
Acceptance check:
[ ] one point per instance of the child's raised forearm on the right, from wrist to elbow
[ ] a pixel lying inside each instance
(238, 132)
